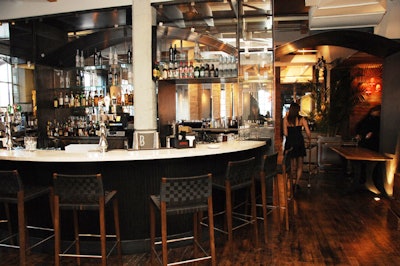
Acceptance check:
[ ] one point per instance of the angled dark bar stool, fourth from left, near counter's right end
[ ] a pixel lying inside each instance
(239, 175)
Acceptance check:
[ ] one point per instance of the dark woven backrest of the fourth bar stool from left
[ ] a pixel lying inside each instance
(239, 173)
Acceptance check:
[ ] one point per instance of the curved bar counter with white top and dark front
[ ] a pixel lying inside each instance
(134, 174)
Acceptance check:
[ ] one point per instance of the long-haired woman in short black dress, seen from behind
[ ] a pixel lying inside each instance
(293, 125)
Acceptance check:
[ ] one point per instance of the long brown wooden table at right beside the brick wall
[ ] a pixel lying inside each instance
(359, 155)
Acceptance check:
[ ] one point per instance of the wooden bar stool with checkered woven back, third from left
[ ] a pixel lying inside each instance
(182, 195)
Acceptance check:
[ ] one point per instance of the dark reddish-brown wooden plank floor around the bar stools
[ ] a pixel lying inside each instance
(329, 227)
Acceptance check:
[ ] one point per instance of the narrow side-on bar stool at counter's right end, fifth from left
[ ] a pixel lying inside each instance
(268, 172)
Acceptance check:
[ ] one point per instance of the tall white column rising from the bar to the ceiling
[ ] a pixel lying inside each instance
(143, 85)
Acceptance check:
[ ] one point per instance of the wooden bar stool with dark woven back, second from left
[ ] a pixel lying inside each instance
(84, 193)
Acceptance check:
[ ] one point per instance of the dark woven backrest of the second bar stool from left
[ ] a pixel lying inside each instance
(78, 188)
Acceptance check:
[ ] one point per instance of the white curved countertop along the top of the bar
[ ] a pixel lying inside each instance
(127, 155)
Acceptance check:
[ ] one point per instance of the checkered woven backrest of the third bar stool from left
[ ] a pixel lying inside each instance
(180, 192)
